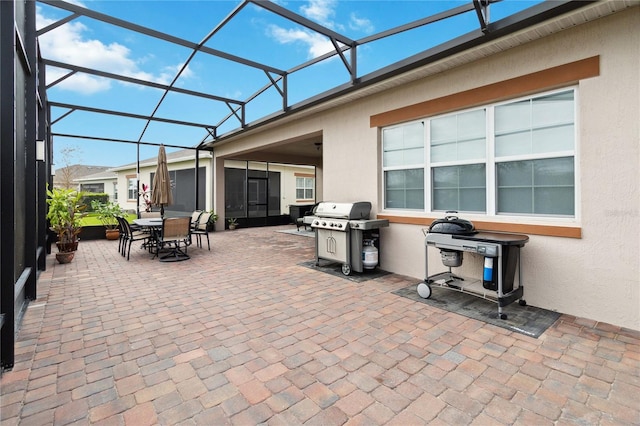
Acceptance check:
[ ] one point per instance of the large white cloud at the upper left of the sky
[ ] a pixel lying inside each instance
(68, 43)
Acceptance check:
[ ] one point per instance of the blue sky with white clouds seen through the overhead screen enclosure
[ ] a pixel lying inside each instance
(254, 33)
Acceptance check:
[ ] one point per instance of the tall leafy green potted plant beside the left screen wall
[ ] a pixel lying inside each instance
(64, 214)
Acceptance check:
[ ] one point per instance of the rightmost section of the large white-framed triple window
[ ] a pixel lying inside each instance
(534, 151)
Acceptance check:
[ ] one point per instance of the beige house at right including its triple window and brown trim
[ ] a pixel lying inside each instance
(533, 132)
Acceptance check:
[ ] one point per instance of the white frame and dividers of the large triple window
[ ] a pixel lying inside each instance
(490, 161)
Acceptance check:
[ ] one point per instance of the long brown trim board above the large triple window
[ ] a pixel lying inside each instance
(547, 79)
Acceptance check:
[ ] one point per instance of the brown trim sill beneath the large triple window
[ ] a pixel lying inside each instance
(518, 228)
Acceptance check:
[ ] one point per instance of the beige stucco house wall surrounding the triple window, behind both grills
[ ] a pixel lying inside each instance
(596, 276)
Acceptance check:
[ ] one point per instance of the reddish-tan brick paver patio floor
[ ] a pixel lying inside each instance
(245, 335)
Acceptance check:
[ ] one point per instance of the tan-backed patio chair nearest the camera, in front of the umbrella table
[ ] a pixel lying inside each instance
(175, 234)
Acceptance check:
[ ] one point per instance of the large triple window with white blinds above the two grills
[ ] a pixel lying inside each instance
(515, 158)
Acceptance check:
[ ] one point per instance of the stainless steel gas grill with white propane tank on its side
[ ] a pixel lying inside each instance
(345, 234)
